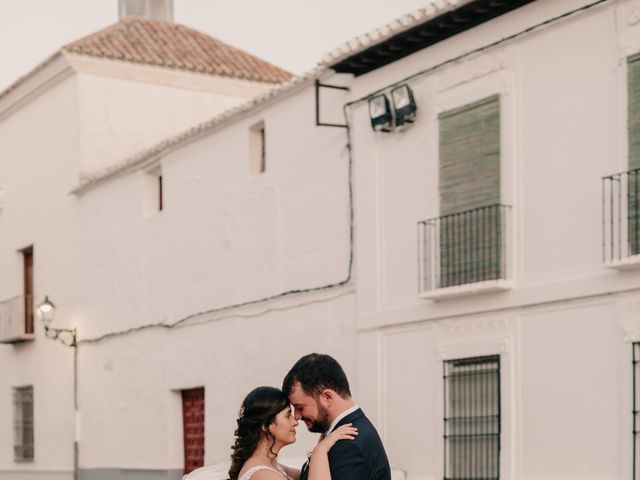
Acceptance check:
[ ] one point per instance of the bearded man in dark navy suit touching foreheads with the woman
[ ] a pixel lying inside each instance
(319, 392)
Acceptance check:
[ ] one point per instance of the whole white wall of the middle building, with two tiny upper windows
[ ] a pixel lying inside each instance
(224, 237)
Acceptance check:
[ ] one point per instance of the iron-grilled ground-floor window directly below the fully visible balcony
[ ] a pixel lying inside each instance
(472, 418)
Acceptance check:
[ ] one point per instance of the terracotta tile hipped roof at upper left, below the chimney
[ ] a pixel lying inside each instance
(138, 40)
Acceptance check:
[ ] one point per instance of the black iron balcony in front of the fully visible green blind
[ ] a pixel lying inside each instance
(464, 253)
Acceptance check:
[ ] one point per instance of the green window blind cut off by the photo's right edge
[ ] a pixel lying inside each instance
(633, 131)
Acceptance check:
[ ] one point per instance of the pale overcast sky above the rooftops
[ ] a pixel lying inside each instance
(293, 34)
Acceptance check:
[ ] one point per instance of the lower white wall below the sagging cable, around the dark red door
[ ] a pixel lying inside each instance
(130, 404)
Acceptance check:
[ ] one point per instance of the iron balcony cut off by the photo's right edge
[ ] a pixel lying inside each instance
(621, 219)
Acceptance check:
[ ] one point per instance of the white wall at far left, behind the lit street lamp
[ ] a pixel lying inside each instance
(38, 155)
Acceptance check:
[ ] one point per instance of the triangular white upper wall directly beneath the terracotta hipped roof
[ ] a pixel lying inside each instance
(120, 117)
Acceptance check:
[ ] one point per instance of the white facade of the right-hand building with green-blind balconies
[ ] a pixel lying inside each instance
(496, 295)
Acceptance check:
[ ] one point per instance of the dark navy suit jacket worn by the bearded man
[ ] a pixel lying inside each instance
(363, 458)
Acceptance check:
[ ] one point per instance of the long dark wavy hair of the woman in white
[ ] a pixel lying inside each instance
(259, 409)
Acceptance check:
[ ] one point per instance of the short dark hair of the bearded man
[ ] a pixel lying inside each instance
(316, 372)
